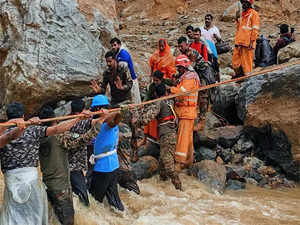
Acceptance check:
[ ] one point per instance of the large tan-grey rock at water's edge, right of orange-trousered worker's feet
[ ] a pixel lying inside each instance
(210, 173)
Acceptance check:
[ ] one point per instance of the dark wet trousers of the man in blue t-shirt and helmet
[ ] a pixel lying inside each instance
(106, 184)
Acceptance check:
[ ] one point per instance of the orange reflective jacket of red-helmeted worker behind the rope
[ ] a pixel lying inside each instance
(186, 106)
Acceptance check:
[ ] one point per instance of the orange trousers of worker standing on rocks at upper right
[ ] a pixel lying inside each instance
(243, 57)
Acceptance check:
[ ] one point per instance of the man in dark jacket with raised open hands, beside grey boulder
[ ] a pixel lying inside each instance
(119, 80)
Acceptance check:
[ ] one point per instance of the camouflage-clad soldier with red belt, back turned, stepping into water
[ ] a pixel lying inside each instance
(164, 113)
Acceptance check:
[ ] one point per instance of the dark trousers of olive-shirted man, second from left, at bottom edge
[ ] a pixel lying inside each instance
(62, 202)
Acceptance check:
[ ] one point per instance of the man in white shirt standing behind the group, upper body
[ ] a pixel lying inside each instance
(209, 31)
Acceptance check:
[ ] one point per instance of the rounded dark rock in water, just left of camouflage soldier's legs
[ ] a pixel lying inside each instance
(145, 167)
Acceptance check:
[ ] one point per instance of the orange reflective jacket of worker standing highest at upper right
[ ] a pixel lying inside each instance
(247, 28)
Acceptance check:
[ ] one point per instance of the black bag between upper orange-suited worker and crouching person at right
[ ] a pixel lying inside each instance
(264, 55)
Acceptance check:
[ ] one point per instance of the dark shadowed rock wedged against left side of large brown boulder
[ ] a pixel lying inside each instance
(224, 102)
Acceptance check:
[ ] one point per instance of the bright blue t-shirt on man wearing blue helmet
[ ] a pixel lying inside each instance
(107, 140)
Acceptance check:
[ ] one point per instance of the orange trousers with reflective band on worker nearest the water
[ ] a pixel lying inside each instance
(185, 147)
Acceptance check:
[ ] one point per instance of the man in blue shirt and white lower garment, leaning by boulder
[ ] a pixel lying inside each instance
(124, 60)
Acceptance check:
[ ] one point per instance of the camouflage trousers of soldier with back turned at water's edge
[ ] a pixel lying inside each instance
(167, 154)
